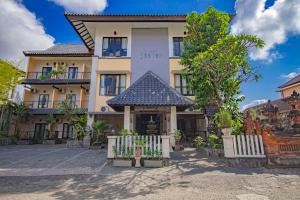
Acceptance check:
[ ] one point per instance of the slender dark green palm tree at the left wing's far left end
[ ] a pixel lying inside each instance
(21, 113)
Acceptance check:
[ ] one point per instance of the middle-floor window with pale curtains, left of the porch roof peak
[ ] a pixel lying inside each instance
(112, 85)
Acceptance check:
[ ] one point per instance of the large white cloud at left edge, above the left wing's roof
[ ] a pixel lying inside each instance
(20, 30)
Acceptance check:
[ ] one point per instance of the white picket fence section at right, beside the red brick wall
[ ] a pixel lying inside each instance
(245, 146)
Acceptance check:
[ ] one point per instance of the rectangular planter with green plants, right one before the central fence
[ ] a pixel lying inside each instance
(153, 158)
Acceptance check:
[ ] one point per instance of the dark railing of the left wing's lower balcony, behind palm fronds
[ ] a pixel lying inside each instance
(56, 104)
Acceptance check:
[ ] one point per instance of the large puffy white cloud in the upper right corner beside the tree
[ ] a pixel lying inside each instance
(273, 24)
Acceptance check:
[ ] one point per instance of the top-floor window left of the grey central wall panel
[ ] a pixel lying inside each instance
(114, 46)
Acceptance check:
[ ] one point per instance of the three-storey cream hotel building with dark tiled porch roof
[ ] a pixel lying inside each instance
(127, 72)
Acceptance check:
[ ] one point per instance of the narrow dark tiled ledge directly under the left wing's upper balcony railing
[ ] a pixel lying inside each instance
(55, 81)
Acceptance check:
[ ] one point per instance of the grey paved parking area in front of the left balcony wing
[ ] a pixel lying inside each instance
(37, 160)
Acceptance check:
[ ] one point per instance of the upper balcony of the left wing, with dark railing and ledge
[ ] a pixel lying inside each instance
(42, 78)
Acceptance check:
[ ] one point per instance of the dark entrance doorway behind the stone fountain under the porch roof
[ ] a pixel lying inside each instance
(148, 124)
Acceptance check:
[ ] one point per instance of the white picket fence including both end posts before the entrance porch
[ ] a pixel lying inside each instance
(124, 146)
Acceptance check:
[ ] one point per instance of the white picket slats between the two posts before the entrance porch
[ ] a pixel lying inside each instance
(125, 145)
